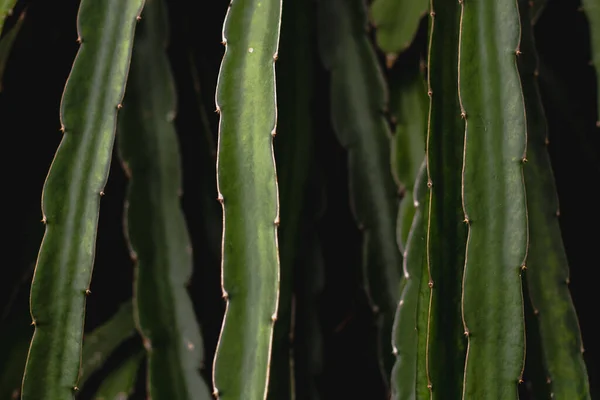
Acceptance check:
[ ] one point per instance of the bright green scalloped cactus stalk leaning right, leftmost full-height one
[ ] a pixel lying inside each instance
(71, 196)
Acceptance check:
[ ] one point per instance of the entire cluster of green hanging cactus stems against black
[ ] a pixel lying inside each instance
(450, 186)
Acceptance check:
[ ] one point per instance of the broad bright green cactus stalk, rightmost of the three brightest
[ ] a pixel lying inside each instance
(494, 201)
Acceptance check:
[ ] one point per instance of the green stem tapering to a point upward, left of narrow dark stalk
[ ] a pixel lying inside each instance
(409, 378)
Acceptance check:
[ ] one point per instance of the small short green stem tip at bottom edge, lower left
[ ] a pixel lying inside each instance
(119, 384)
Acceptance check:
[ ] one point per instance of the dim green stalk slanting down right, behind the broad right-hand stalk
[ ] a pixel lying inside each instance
(547, 266)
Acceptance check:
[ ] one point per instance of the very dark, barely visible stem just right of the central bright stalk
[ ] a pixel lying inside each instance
(293, 151)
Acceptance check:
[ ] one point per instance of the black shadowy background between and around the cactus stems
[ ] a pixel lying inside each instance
(29, 127)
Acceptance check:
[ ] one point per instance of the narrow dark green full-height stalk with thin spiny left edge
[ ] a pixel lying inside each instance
(445, 231)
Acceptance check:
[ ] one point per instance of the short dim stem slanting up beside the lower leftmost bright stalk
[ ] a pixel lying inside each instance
(99, 344)
